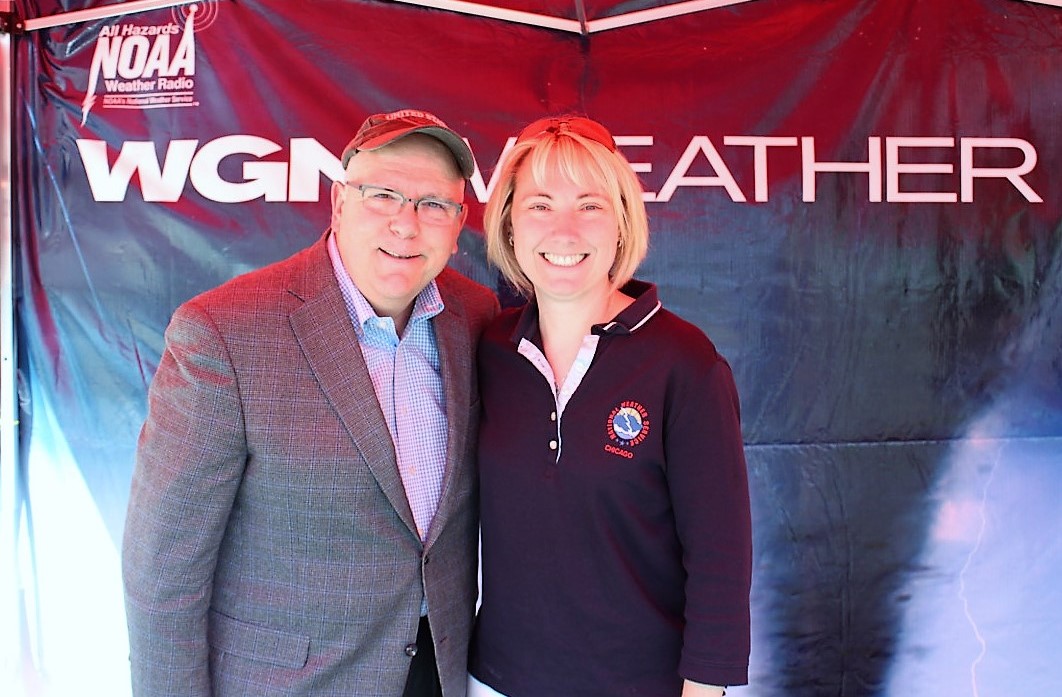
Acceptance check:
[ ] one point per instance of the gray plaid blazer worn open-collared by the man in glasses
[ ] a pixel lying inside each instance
(269, 547)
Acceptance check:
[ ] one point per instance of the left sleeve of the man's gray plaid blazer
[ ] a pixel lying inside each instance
(191, 458)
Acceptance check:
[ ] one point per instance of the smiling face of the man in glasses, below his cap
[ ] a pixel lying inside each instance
(392, 258)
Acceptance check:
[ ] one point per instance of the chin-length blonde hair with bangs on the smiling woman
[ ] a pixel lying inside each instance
(584, 151)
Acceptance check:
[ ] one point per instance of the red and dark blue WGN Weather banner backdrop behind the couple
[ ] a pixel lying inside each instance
(858, 201)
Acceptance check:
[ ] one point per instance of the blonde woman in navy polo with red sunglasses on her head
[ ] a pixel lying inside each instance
(613, 486)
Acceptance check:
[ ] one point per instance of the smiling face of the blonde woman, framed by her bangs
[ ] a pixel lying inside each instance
(564, 235)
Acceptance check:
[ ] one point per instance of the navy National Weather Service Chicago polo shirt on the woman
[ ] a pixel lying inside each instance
(616, 530)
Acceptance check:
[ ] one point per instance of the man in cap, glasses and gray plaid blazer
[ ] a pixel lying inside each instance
(302, 518)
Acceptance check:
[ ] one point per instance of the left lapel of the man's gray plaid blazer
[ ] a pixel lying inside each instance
(327, 336)
